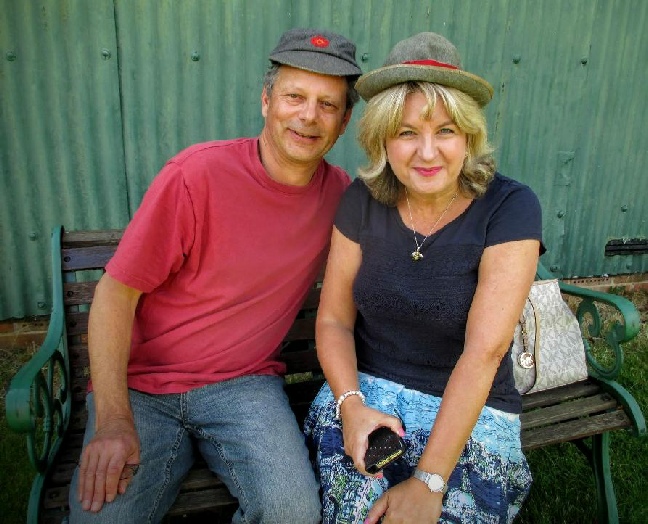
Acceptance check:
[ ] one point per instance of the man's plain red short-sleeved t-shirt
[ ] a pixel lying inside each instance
(225, 256)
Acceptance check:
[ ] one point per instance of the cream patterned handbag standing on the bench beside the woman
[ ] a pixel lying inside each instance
(547, 349)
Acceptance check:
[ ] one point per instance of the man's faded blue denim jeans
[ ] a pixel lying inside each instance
(247, 434)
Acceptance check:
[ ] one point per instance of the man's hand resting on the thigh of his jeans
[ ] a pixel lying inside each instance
(105, 469)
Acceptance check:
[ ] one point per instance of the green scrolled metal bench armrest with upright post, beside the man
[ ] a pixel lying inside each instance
(38, 401)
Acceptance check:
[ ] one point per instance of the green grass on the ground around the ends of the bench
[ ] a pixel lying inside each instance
(563, 489)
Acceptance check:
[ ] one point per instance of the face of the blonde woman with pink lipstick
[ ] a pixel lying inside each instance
(427, 155)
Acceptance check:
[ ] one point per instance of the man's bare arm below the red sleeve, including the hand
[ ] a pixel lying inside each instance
(115, 442)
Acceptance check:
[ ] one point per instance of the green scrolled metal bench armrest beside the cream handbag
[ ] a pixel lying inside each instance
(612, 332)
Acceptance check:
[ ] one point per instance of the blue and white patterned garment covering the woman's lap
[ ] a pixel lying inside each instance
(488, 485)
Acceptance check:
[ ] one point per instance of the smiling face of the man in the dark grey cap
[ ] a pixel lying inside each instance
(305, 114)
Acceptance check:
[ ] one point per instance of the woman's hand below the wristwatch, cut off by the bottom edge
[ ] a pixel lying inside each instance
(407, 502)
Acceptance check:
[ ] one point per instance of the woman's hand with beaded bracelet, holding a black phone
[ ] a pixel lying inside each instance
(358, 421)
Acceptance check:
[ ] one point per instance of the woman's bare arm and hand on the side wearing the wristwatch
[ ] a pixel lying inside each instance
(506, 272)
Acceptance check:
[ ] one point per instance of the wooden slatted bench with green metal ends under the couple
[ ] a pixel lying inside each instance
(46, 397)
